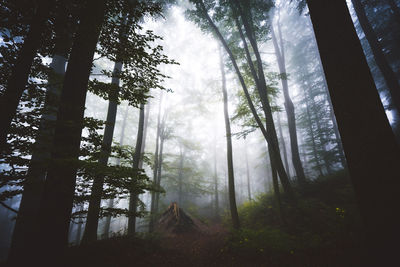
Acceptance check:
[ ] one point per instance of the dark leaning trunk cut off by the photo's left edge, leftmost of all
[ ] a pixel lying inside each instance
(16, 83)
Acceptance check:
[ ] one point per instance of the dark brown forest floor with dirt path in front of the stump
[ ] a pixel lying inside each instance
(190, 249)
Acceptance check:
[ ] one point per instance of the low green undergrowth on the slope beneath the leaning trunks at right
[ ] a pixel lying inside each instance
(325, 221)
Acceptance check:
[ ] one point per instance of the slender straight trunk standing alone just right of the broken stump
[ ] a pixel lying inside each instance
(231, 178)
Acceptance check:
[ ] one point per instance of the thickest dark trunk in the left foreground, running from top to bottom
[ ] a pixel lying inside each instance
(55, 210)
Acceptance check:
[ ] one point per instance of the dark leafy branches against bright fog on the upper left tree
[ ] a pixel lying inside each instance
(123, 40)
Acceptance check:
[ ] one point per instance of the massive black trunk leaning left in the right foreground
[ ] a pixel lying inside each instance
(362, 124)
